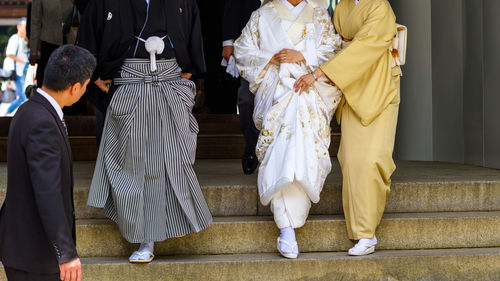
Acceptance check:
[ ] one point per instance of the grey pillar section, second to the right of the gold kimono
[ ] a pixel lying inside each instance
(447, 80)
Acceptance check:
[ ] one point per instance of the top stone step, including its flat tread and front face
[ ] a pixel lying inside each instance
(416, 187)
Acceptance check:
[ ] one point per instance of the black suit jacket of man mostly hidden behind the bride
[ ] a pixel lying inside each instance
(236, 15)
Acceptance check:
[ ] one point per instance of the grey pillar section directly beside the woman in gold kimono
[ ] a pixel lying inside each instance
(414, 133)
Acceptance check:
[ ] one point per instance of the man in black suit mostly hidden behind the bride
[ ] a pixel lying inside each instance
(236, 15)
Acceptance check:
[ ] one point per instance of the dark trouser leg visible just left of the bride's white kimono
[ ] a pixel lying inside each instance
(245, 106)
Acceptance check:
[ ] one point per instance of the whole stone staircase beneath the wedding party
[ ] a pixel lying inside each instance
(442, 222)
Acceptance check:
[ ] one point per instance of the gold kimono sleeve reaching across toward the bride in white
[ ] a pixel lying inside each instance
(369, 44)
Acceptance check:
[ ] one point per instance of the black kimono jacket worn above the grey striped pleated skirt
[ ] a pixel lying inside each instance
(111, 42)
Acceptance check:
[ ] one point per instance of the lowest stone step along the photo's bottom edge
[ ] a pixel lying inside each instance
(406, 265)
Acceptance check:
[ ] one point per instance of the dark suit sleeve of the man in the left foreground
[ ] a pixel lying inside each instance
(44, 163)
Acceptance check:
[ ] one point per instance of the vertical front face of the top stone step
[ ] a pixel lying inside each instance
(243, 200)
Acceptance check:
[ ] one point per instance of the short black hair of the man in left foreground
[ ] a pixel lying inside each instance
(67, 66)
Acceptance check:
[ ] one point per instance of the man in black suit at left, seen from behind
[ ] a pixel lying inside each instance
(37, 219)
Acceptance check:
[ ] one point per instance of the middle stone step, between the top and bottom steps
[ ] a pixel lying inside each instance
(242, 235)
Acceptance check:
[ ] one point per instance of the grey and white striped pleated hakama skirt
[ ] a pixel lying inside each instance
(144, 177)
